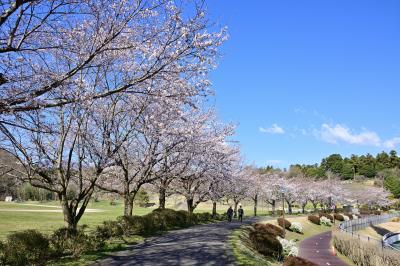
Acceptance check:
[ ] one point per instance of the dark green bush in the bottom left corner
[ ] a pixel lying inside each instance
(26, 248)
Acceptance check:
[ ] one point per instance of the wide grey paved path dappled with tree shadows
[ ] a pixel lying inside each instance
(198, 245)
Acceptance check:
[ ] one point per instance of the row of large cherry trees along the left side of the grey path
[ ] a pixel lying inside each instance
(110, 95)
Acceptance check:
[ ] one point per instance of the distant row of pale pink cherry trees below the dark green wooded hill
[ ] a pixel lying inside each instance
(296, 190)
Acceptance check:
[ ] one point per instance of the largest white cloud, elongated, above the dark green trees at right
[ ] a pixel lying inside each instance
(341, 133)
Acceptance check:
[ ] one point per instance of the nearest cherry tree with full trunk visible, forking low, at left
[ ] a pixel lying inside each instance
(69, 159)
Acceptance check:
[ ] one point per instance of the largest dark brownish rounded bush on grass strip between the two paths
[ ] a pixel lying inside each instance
(266, 243)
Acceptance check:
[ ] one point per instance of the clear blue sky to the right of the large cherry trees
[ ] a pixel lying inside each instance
(305, 79)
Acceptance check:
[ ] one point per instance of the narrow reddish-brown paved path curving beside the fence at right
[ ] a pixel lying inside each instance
(318, 249)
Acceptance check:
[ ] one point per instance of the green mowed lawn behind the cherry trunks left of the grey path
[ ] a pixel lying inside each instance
(47, 216)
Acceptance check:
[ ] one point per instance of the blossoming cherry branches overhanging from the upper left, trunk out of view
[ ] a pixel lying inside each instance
(50, 44)
